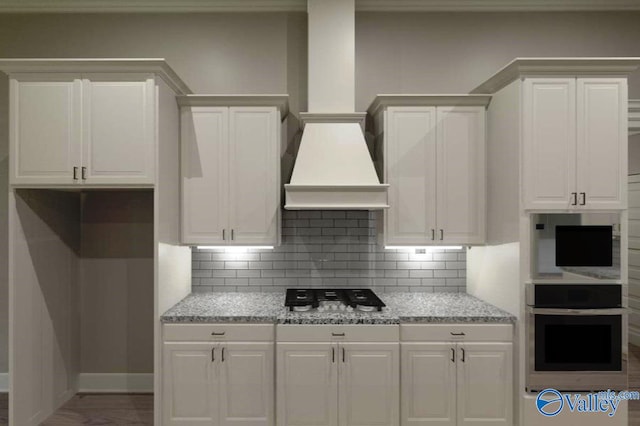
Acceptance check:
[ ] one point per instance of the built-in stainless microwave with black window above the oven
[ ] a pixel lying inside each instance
(584, 244)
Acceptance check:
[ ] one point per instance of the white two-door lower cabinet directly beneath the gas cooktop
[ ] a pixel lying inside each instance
(337, 381)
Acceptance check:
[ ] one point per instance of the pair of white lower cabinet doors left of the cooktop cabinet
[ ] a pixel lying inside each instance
(218, 383)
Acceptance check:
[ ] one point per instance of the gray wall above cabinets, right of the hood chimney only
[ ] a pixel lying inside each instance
(455, 52)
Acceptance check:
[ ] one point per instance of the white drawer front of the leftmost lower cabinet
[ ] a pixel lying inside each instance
(219, 332)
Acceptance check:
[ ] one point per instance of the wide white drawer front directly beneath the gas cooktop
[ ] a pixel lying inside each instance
(337, 333)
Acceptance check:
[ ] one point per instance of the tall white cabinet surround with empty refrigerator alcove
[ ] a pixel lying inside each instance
(80, 125)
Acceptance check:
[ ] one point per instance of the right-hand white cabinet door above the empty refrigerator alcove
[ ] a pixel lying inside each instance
(119, 130)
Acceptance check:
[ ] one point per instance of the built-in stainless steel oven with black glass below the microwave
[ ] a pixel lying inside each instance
(576, 337)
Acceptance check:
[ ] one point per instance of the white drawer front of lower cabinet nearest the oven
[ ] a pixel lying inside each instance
(456, 332)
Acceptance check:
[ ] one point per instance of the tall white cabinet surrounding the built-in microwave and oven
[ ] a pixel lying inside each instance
(557, 144)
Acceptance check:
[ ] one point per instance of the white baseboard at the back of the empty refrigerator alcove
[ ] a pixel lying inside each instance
(115, 383)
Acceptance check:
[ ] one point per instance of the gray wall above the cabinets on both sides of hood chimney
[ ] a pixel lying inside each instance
(265, 53)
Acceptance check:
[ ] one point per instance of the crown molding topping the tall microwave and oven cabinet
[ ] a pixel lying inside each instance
(541, 67)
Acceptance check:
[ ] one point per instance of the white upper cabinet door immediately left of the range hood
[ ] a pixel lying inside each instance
(254, 177)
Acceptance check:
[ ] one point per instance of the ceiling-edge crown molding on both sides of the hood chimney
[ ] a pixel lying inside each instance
(172, 6)
